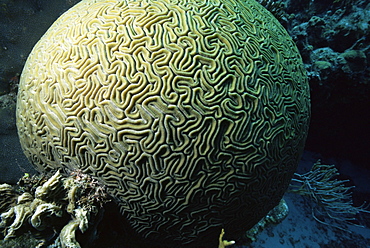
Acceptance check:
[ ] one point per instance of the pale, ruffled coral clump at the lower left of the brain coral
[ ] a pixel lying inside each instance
(52, 209)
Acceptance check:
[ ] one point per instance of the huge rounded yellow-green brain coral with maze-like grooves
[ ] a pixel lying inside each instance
(193, 112)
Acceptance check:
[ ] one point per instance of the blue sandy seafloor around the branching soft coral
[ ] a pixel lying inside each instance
(300, 230)
